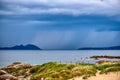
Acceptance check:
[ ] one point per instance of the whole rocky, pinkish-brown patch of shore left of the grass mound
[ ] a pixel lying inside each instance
(16, 71)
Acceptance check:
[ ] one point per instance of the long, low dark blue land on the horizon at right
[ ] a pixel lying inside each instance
(101, 48)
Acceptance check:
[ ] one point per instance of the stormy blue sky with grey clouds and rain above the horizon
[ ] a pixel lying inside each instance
(60, 24)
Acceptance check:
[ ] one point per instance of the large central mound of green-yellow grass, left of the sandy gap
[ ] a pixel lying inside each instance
(57, 71)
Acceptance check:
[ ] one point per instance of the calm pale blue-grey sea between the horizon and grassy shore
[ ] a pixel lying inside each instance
(43, 56)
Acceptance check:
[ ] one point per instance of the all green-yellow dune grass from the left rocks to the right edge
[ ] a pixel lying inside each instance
(57, 71)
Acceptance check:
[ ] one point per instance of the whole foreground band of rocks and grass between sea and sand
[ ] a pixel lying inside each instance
(56, 71)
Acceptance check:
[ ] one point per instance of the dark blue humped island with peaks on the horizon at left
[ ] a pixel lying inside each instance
(21, 47)
